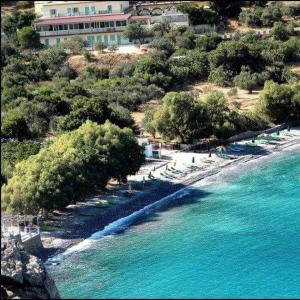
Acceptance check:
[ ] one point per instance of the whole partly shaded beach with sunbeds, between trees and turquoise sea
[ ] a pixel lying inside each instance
(175, 171)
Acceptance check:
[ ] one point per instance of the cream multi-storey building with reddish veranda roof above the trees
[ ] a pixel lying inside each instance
(94, 21)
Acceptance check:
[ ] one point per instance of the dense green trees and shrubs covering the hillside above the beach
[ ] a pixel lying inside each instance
(42, 94)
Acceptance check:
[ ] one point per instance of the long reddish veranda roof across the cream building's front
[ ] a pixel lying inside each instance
(83, 19)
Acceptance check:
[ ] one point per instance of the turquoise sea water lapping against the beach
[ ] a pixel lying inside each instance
(240, 239)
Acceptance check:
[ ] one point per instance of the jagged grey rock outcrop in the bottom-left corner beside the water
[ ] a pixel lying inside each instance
(23, 276)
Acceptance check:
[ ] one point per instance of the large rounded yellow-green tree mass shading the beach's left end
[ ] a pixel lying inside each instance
(75, 165)
